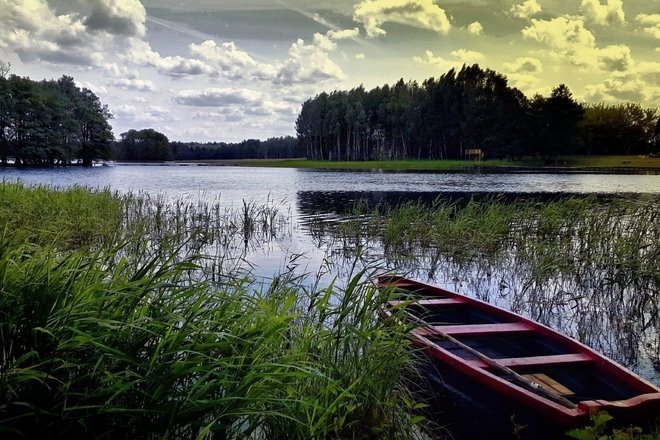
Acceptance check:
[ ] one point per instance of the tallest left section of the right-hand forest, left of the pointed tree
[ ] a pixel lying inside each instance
(465, 109)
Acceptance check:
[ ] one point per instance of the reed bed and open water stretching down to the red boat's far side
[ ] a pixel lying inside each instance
(587, 266)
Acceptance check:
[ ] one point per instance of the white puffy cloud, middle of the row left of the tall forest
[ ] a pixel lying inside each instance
(232, 62)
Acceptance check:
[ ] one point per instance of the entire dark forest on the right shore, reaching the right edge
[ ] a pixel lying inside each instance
(465, 111)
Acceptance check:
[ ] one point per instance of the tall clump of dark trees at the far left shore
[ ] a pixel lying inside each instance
(51, 122)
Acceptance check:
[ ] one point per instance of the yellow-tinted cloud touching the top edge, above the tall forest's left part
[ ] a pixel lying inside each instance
(424, 14)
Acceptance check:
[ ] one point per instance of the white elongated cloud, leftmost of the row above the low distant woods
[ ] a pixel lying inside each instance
(140, 52)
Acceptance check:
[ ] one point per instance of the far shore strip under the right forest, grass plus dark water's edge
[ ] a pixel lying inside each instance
(567, 164)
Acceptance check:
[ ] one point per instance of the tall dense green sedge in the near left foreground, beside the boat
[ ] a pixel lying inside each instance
(146, 352)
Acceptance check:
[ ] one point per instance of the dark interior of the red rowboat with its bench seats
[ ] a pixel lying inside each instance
(545, 359)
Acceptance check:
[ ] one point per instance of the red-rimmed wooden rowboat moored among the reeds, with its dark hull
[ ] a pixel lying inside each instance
(511, 376)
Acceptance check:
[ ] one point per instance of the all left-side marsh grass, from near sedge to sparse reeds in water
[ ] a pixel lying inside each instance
(119, 330)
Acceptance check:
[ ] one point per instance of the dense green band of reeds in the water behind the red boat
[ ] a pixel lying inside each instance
(555, 237)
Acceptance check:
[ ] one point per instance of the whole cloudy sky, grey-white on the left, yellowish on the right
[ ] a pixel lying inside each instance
(227, 70)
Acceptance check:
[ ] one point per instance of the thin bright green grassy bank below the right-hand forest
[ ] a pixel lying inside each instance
(594, 162)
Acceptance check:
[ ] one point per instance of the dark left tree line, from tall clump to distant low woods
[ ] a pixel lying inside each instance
(56, 123)
